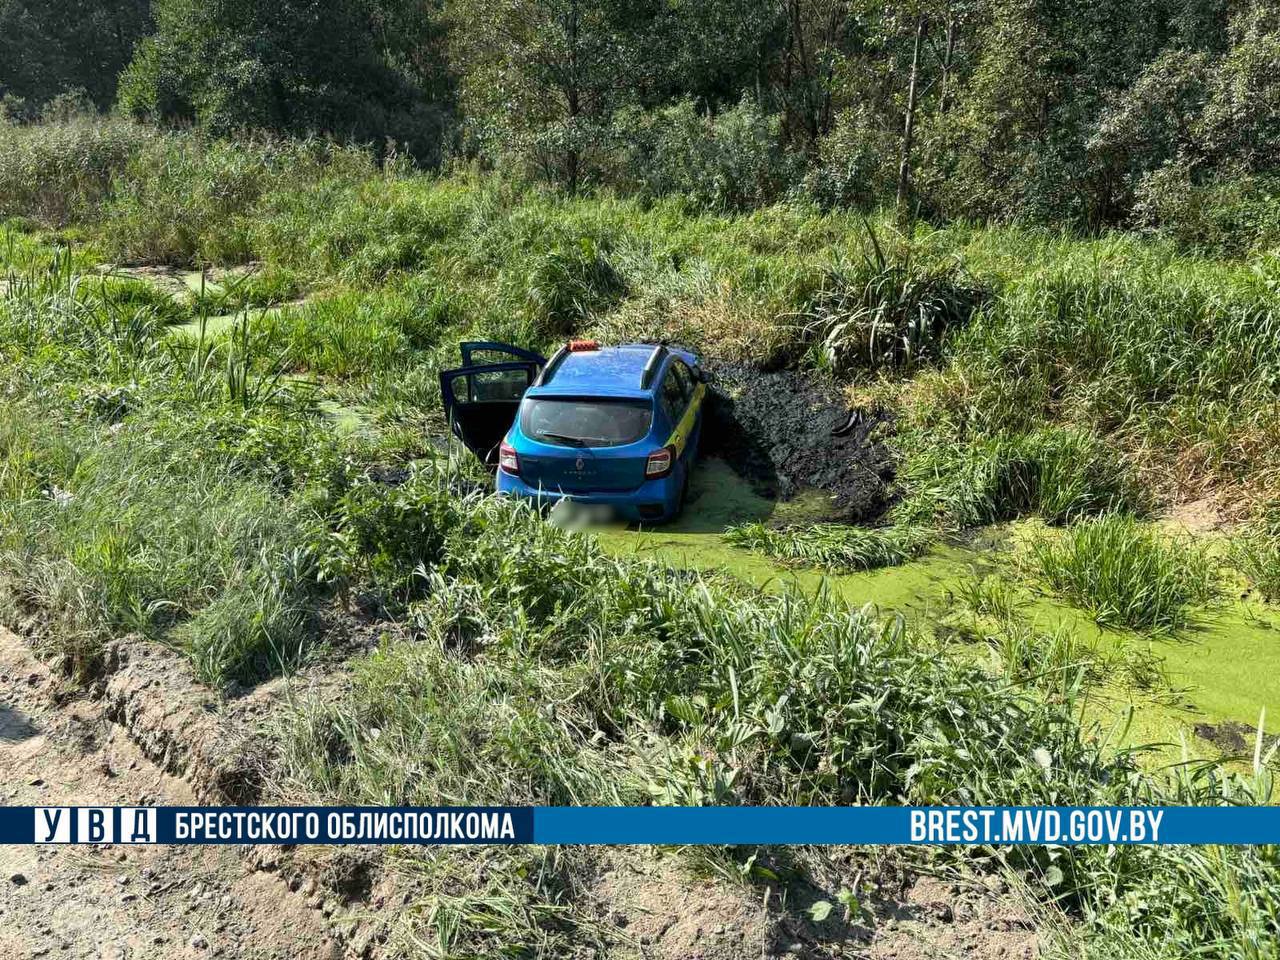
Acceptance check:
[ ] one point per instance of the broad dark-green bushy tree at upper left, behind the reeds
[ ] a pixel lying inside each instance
(333, 67)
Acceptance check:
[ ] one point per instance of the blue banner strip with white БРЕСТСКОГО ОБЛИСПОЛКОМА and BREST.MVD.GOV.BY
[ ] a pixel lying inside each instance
(642, 825)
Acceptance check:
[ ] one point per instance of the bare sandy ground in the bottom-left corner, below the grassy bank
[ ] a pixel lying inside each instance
(122, 903)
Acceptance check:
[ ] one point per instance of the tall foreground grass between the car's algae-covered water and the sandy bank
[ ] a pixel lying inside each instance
(545, 671)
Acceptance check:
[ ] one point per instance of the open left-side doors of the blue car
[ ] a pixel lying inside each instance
(482, 396)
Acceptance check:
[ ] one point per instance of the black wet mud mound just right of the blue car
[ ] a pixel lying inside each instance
(789, 433)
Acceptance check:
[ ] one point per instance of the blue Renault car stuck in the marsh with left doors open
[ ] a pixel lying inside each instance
(612, 427)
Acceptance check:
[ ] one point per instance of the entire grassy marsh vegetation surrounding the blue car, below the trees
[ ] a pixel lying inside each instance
(185, 481)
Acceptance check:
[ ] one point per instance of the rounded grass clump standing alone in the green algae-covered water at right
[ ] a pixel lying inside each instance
(1127, 574)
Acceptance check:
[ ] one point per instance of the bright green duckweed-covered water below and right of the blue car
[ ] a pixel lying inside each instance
(1214, 680)
